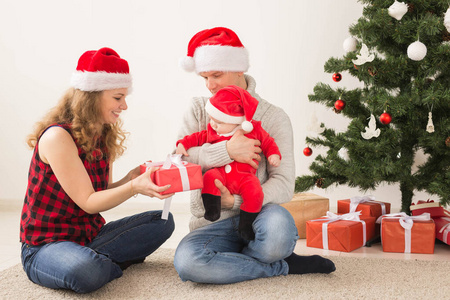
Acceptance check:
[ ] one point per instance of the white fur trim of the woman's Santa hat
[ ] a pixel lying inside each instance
(100, 81)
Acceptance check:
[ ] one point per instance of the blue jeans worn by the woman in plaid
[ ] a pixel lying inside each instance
(83, 269)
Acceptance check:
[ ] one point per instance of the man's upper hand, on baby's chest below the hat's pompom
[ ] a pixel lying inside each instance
(244, 150)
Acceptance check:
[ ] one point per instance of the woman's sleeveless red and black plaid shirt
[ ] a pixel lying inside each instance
(49, 214)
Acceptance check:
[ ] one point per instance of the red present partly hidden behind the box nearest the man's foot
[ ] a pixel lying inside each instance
(366, 204)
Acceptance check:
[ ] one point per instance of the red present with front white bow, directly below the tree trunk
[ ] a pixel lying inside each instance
(407, 234)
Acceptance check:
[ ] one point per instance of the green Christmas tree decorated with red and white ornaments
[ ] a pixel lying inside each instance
(401, 54)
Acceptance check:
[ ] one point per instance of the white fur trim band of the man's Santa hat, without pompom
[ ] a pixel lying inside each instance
(221, 58)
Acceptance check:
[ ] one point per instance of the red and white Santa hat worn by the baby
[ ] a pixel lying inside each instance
(233, 105)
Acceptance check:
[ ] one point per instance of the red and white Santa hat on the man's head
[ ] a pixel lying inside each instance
(216, 49)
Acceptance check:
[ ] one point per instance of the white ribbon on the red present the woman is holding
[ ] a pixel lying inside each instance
(172, 159)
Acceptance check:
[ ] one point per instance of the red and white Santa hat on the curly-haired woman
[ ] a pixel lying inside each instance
(100, 70)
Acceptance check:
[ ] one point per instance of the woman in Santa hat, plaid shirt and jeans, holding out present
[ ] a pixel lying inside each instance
(65, 241)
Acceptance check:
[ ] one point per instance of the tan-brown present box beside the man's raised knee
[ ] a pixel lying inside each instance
(304, 207)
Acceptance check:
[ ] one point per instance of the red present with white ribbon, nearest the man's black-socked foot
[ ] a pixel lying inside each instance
(340, 232)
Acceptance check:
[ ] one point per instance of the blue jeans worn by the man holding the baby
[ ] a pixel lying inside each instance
(217, 254)
